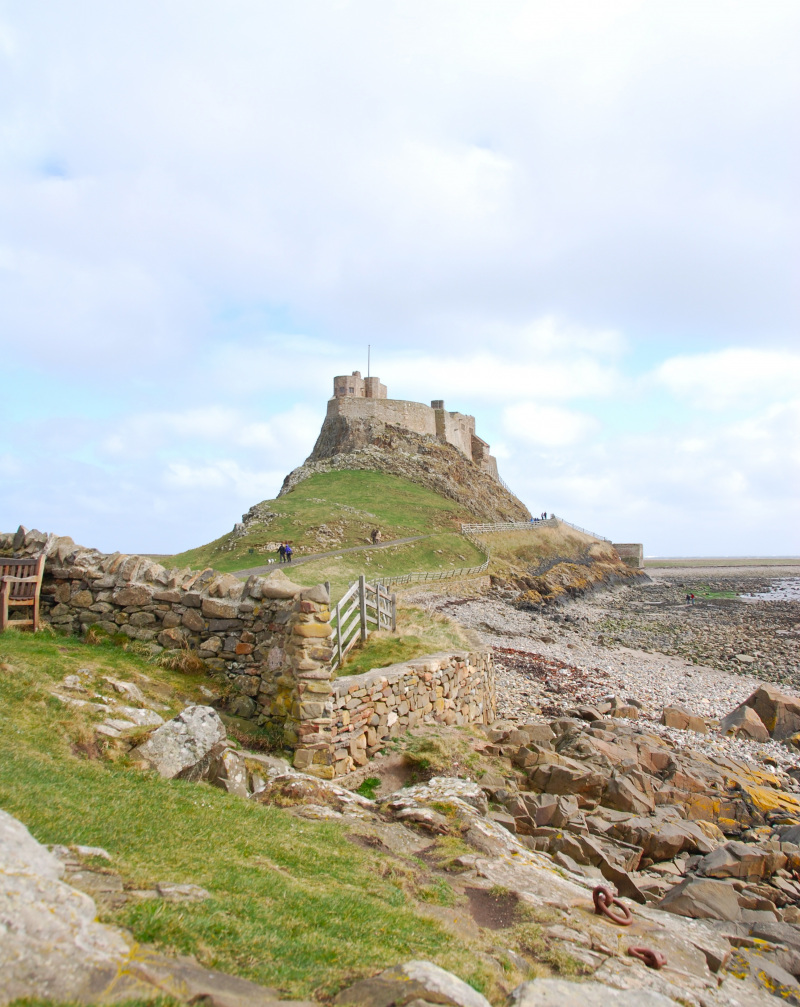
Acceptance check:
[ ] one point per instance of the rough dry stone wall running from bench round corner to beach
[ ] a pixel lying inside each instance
(272, 639)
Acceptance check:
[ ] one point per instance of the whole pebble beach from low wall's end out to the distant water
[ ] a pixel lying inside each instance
(551, 661)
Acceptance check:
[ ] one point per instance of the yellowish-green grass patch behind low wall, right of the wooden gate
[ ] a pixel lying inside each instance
(419, 634)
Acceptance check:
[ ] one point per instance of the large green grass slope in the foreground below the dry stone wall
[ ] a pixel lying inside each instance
(295, 905)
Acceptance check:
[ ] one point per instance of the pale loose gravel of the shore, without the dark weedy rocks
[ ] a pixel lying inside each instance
(550, 662)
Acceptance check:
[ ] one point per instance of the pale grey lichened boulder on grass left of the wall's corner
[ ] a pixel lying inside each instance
(186, 747)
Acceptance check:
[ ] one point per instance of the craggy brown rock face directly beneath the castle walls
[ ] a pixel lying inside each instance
(377, 447)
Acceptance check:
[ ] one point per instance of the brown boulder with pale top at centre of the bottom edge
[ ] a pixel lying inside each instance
(415, 981)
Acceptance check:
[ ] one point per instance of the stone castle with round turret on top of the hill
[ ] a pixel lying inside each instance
(357, 398)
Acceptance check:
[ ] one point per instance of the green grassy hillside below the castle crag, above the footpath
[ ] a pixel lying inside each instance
(351, 504)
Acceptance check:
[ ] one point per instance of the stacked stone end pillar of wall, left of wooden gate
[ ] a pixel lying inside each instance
(309, 649)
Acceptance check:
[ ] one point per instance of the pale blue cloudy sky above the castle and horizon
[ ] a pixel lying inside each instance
(576, 221)
